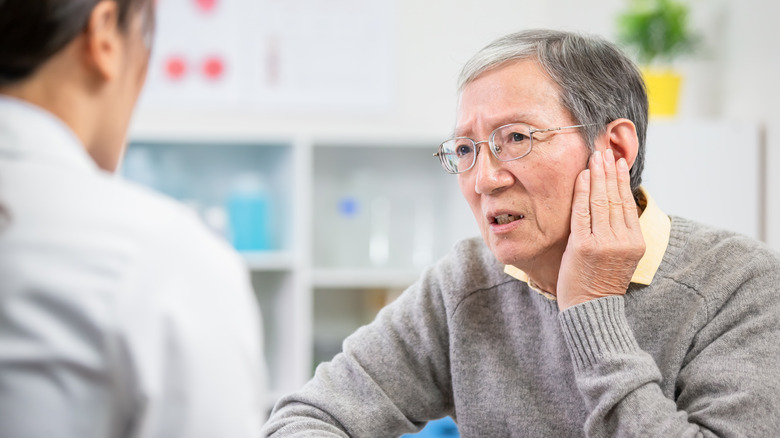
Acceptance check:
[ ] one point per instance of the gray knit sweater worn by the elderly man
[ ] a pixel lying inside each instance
(696, 353)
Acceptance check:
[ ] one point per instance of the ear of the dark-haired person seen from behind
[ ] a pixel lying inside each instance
(103, 40)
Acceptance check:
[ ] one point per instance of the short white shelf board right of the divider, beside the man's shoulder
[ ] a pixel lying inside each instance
(364, 278)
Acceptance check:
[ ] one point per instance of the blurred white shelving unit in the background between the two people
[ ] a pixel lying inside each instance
(321, 279)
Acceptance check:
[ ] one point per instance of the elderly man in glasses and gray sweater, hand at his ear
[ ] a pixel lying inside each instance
(583, 310)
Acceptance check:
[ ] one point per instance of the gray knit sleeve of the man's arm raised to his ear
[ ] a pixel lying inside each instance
(728, 385)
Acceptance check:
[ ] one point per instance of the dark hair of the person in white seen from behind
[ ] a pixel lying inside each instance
(32, 31)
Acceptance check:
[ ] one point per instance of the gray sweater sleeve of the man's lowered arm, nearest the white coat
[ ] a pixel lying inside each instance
(392, 376)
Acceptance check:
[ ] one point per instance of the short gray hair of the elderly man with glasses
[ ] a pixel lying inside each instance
(598, 82)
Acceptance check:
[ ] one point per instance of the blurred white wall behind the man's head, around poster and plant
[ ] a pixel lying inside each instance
(735, 77)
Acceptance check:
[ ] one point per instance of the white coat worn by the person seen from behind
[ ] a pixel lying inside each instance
(121, 315)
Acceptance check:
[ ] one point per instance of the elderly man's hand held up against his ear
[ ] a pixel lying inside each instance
(606, 243)
